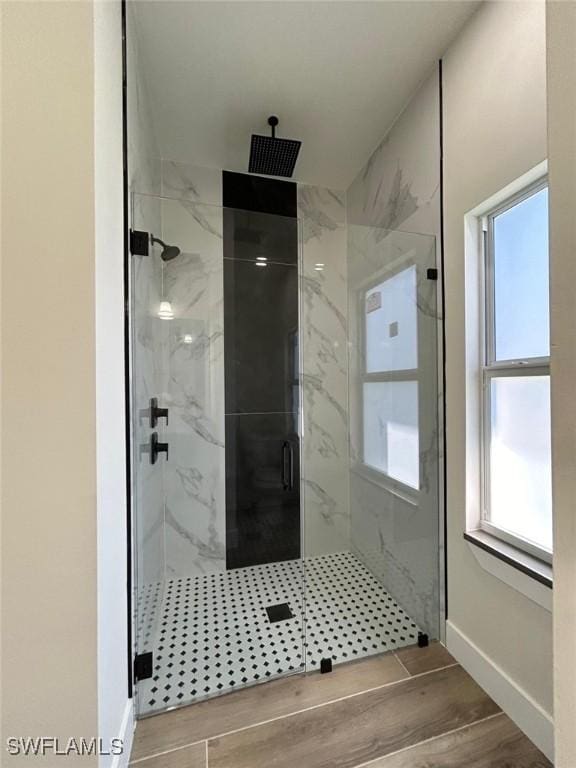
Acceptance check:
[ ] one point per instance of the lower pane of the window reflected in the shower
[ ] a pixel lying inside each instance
(391, 429)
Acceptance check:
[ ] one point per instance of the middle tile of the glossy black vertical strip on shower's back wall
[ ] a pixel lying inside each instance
(260, 337)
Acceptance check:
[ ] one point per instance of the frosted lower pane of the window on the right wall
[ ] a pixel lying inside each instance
(520, 457)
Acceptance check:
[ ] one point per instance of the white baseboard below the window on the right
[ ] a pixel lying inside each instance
(528, 715)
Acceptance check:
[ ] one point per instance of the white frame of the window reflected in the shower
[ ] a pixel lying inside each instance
(397, 487)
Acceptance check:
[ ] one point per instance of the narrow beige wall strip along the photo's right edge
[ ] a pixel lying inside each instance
(561, 53)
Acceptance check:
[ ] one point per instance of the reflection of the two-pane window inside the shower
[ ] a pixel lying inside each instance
(390, 380)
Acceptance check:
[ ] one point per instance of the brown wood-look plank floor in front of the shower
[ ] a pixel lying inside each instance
(415, 708)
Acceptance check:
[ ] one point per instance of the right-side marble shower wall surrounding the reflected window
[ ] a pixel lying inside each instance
(398, 189)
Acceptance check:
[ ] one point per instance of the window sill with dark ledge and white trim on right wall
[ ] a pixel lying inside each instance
(521, 571)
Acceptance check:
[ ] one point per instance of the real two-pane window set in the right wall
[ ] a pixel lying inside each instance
(517, 487)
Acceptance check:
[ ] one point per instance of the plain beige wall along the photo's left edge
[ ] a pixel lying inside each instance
(49, 563)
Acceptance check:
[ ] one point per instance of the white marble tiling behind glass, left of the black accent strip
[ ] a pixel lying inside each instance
(194, 477)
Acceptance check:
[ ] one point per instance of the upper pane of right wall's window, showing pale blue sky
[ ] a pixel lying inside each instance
(521, 310)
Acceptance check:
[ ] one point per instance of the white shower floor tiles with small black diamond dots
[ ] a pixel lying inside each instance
(213, 634)
